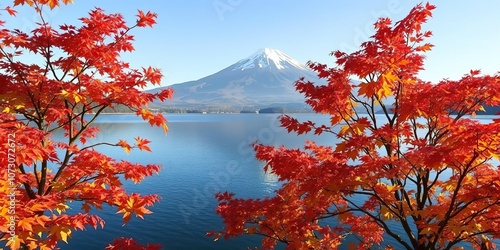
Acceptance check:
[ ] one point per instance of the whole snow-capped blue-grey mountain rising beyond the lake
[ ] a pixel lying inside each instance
(264, 79)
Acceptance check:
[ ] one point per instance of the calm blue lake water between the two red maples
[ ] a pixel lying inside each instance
(200, 155)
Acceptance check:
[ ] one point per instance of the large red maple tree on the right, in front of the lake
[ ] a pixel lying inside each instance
(409, 162)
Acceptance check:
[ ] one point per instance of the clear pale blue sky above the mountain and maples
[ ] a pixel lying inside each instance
(194, 39)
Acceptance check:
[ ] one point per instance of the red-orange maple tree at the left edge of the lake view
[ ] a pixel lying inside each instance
(59, 80)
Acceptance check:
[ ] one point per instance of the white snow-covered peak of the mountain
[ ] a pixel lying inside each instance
(268, 58)
